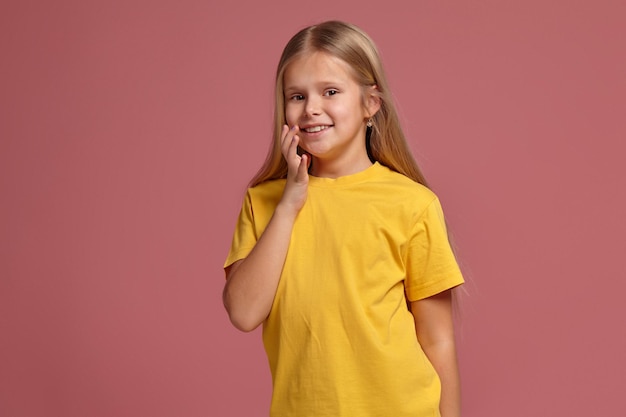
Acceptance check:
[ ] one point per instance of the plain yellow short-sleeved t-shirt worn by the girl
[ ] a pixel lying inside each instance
(339, 338)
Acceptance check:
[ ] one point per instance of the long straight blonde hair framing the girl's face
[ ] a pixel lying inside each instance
(387, 143)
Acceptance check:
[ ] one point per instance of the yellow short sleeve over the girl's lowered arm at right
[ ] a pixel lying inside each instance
(431, 264)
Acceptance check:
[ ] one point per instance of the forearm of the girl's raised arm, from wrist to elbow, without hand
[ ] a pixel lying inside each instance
(251, 285)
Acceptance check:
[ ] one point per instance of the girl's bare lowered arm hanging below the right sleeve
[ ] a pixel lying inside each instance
(435, 333)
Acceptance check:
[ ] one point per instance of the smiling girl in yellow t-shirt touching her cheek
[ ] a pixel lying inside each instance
(340, 250)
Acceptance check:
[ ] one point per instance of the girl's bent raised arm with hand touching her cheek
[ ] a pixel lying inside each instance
(251, 282)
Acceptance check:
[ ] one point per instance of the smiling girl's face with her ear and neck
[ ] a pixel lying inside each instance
(324, 100)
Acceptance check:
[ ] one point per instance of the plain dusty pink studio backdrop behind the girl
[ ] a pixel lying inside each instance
(129, 129)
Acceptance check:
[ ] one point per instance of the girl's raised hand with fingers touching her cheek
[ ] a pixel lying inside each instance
(295, 192)
